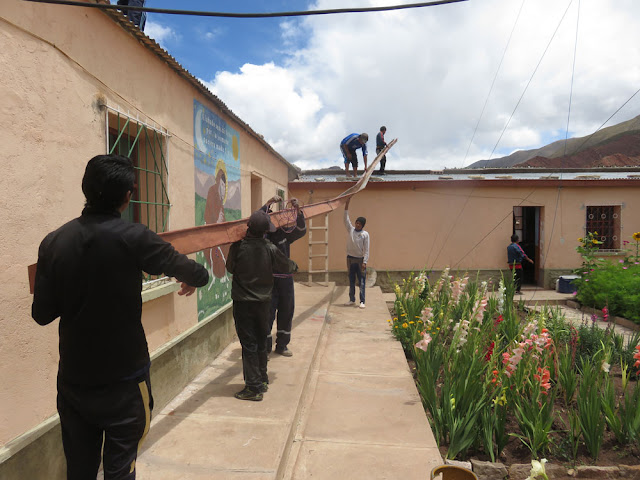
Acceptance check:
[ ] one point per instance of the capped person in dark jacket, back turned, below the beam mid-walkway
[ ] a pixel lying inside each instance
(252, 262)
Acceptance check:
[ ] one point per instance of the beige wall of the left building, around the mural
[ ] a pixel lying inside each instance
(59, 66)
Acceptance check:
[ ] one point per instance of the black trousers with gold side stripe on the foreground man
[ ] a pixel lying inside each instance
(120, 412)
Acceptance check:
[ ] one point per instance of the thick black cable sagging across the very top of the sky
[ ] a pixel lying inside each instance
(199, 13)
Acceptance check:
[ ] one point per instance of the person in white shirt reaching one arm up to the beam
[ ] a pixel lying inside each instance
(357, 255)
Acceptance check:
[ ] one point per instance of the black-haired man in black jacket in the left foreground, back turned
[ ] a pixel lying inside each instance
(90, 275)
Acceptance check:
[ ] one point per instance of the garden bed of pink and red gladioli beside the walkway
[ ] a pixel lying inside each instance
(505, 386)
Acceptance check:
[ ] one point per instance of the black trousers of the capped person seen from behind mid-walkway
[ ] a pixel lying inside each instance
(252, 327)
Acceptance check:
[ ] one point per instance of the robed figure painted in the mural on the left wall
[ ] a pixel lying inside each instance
(216, 257)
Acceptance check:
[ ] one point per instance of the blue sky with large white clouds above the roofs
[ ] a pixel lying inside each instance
(453, 83)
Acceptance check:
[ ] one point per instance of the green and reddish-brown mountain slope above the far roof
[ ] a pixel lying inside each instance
(618, 145)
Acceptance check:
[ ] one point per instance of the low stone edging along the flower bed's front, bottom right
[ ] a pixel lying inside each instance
(520, 471)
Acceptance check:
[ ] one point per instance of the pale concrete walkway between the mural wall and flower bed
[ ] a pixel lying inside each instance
(344, 406)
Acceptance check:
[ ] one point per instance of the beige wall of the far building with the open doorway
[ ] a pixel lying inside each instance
(464, 225)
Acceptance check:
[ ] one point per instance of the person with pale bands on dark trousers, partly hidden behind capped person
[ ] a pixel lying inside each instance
(282, 295)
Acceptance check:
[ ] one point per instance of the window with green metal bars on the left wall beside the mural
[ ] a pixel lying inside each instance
(146, 146)
